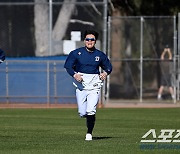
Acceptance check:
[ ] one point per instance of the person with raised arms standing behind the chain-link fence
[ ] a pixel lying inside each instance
(166, 58)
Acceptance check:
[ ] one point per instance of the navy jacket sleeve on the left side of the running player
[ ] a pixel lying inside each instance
(70, 64)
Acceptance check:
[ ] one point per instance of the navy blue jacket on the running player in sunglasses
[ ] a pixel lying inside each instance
(80, 60)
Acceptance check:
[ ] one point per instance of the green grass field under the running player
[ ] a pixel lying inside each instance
(61, 131)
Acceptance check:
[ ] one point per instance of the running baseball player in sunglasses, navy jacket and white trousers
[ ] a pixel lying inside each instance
(83, 65)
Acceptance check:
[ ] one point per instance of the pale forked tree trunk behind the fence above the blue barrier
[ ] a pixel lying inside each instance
(41, 21)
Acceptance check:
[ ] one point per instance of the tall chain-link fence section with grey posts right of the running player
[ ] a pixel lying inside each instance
(135, 47)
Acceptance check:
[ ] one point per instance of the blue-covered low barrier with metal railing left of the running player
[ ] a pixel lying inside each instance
(32, 81)
